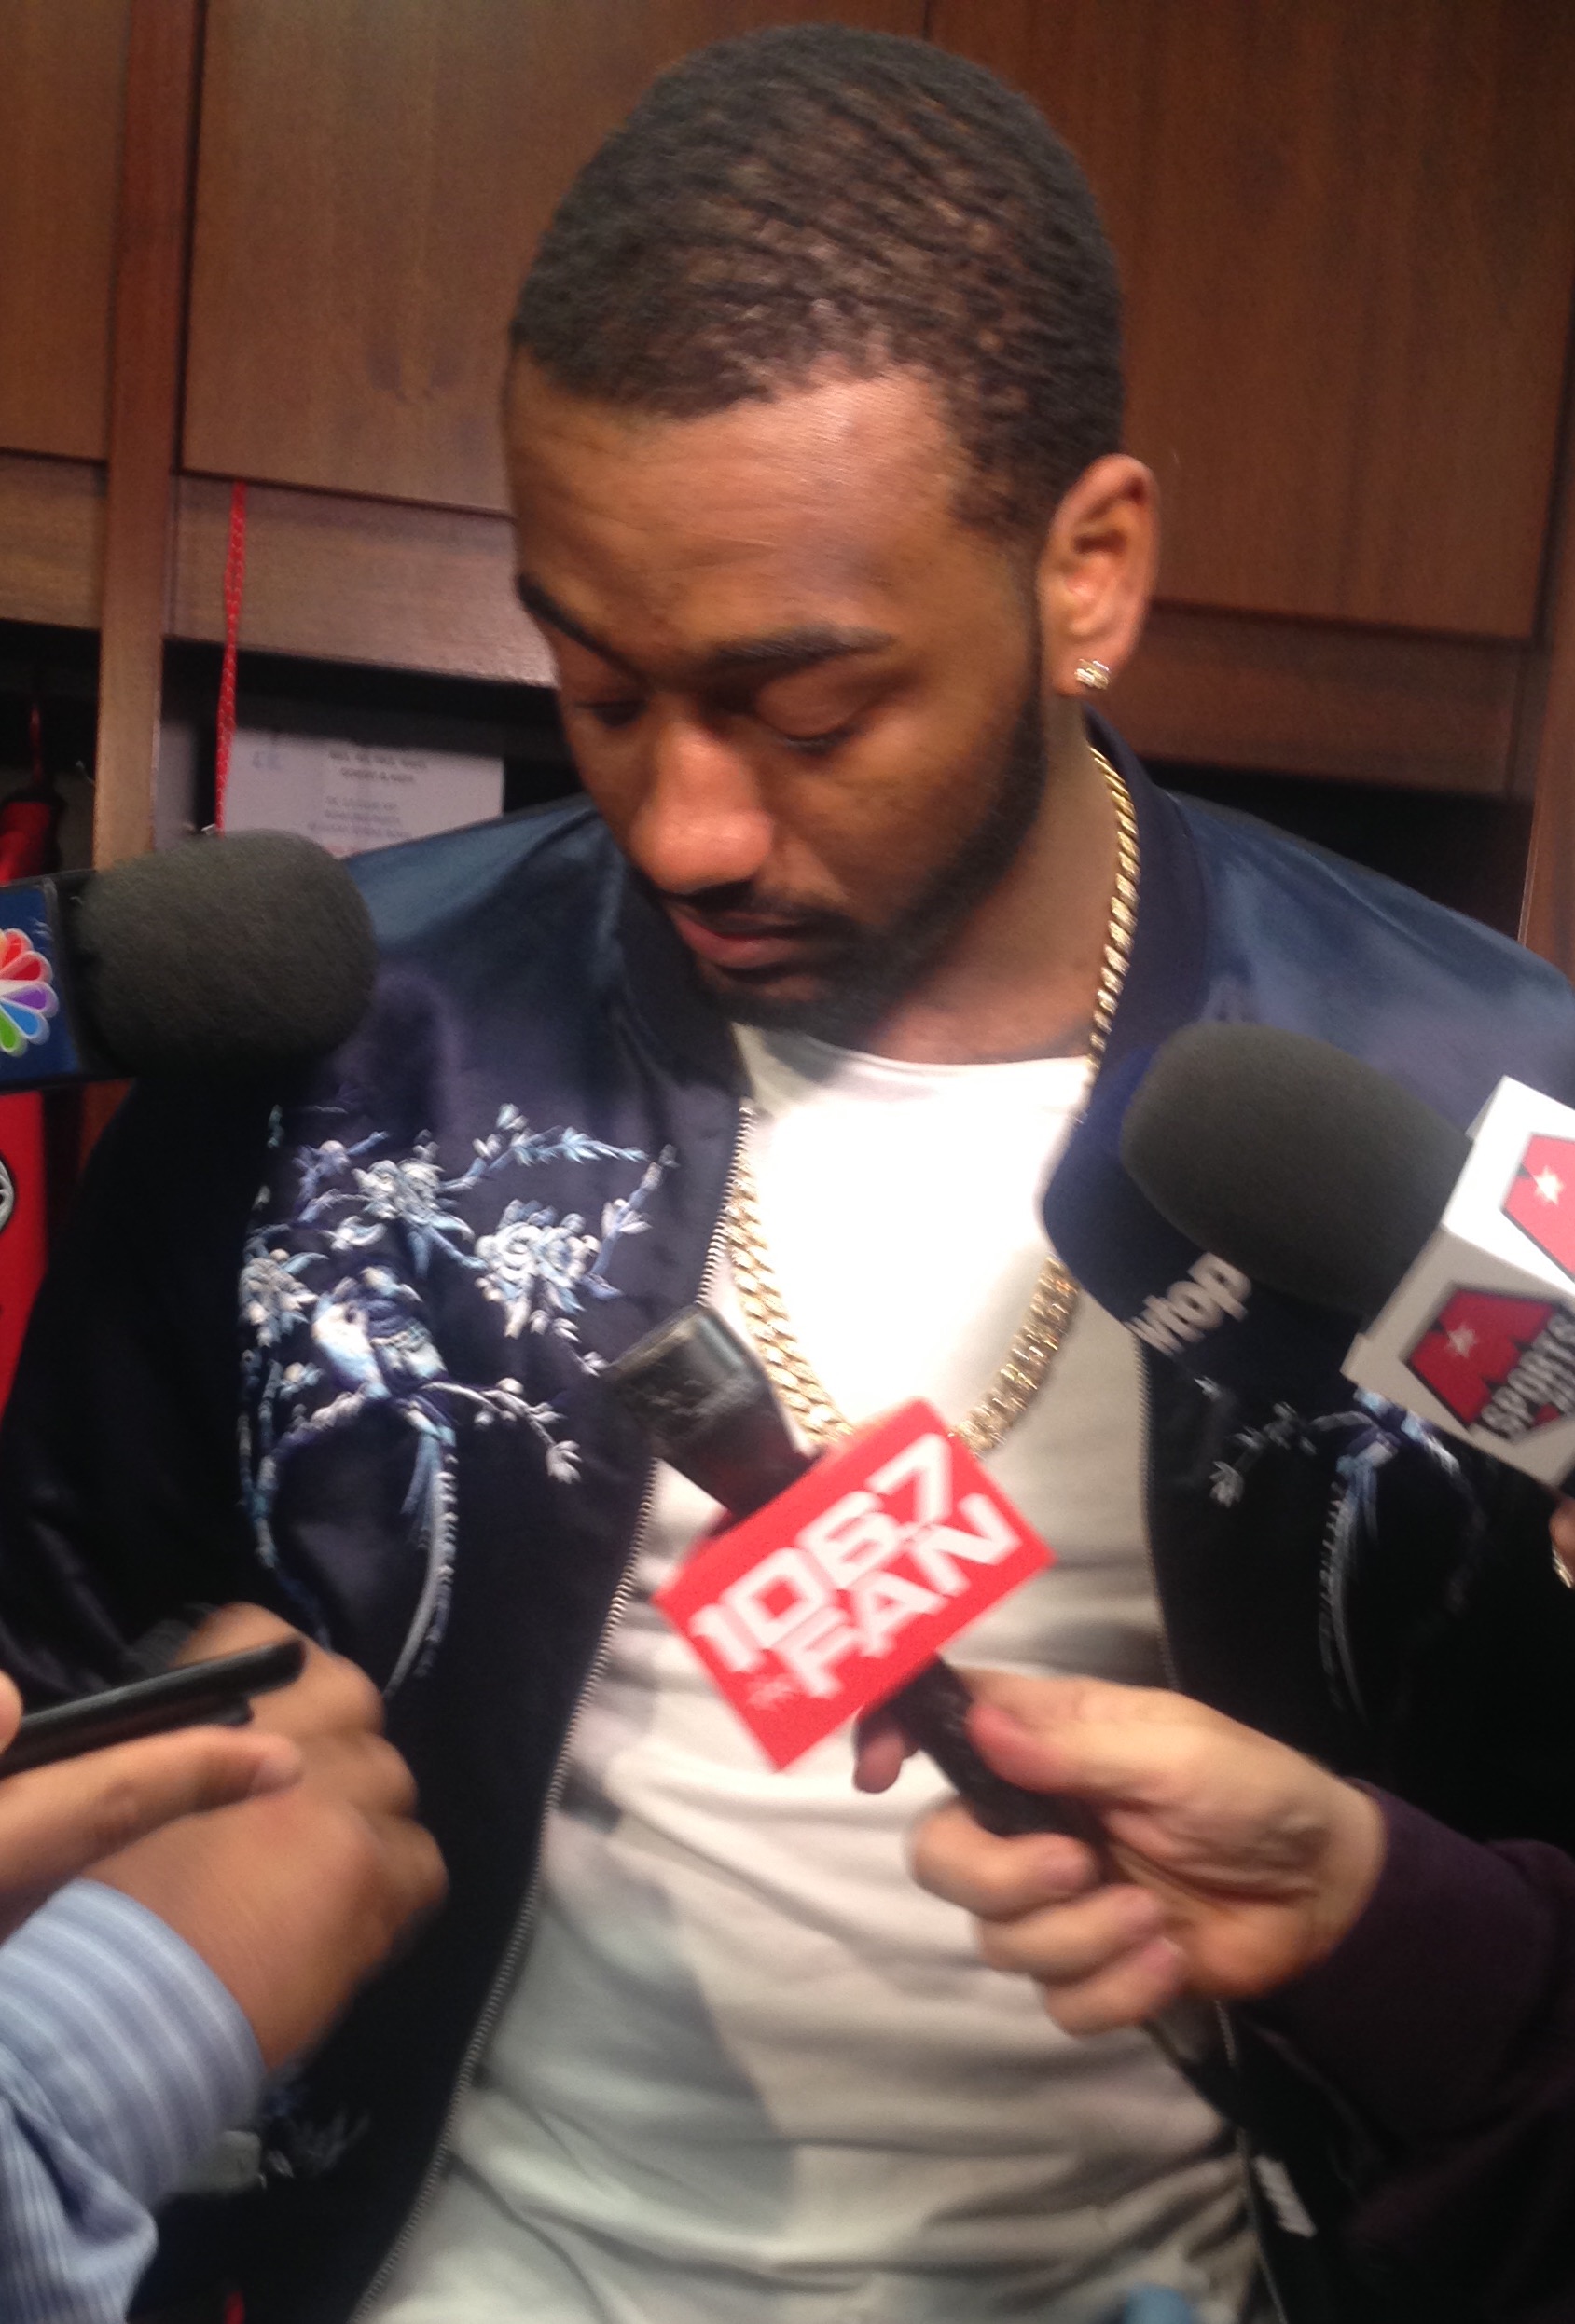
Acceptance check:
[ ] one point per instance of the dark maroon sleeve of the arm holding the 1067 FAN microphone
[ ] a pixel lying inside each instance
(1448, 2023)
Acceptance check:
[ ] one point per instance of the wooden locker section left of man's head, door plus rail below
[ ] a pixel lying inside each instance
(373, 178)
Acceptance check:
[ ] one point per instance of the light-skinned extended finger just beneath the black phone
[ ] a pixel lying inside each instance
(59, 1821)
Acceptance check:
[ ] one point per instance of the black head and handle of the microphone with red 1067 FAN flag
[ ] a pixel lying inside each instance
(711, 1412)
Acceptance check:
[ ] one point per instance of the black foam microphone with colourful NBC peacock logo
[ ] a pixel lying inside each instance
(222, 956)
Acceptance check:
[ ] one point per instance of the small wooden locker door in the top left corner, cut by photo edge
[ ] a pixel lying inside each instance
(62, 80)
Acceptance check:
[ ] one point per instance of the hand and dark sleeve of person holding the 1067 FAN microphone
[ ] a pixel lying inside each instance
(1427, 1979)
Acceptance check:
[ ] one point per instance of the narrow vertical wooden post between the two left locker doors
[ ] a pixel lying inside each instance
(162, 78)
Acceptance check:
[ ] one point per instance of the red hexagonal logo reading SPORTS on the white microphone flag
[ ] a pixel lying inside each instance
(1499, 1361)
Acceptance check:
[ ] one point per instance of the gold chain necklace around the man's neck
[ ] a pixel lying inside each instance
(1055, 1296)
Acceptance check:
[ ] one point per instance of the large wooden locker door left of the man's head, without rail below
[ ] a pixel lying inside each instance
(373, 180)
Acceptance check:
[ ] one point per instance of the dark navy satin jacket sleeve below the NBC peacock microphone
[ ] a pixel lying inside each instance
(120, 1472)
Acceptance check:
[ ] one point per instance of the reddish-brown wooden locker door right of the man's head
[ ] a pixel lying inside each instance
(1348, 238)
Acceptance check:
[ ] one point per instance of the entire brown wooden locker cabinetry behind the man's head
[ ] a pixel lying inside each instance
(1348, 234)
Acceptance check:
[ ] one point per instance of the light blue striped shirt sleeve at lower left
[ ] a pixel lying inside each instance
(122, 2058)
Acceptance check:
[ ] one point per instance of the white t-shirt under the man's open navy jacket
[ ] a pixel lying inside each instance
(750, 2072)
